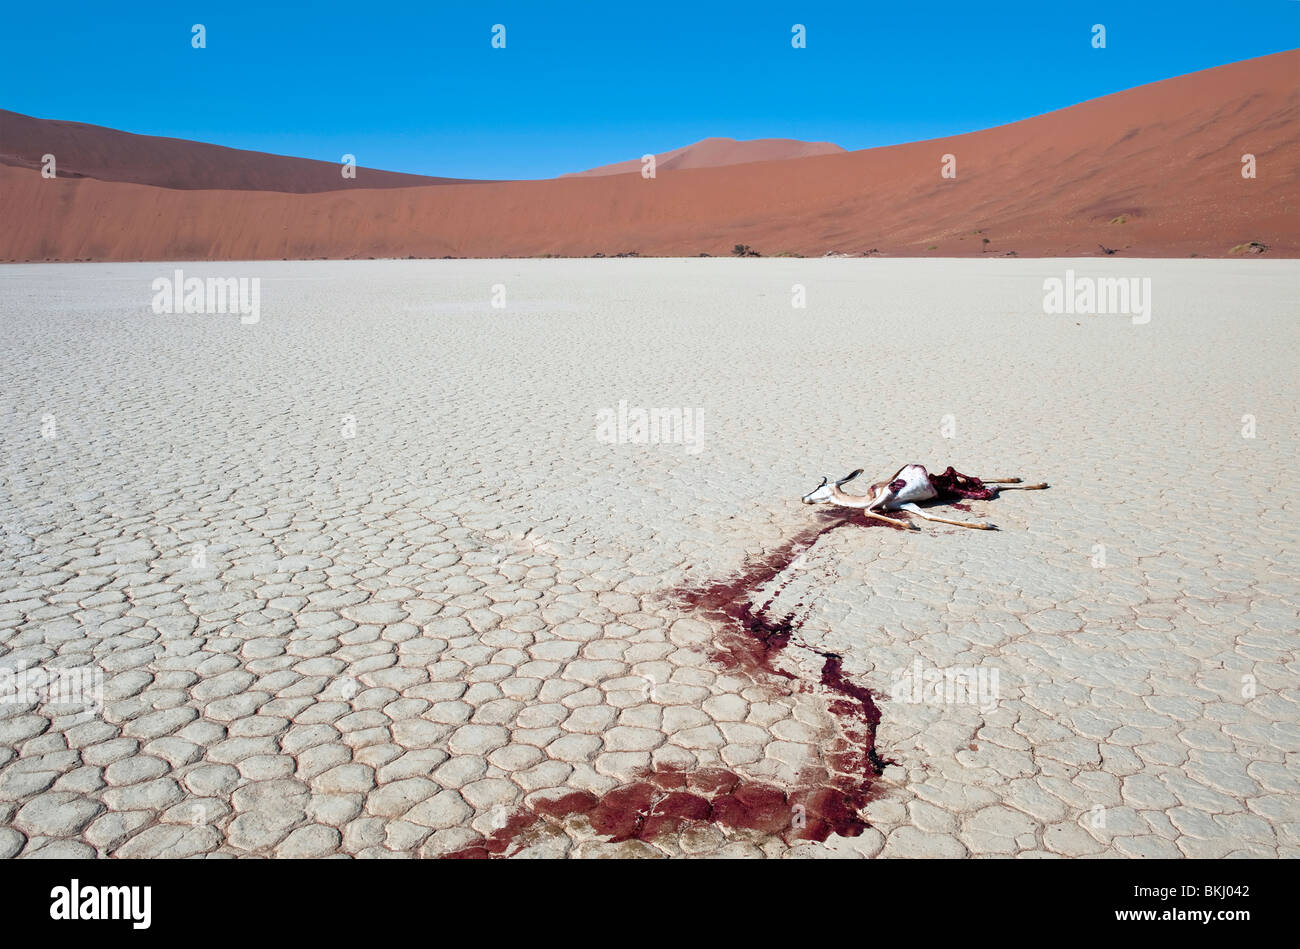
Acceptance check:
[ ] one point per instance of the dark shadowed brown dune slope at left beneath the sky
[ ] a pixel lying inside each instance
(93, 151)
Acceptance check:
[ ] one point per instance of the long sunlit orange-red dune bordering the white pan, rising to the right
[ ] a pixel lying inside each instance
(1154, 171)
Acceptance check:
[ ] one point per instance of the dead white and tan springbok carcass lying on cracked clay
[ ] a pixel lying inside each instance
(912, 484)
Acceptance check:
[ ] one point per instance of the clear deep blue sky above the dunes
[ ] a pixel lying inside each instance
(418, 88)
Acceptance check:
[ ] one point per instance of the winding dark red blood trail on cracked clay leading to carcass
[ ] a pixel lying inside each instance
(668, 800)
